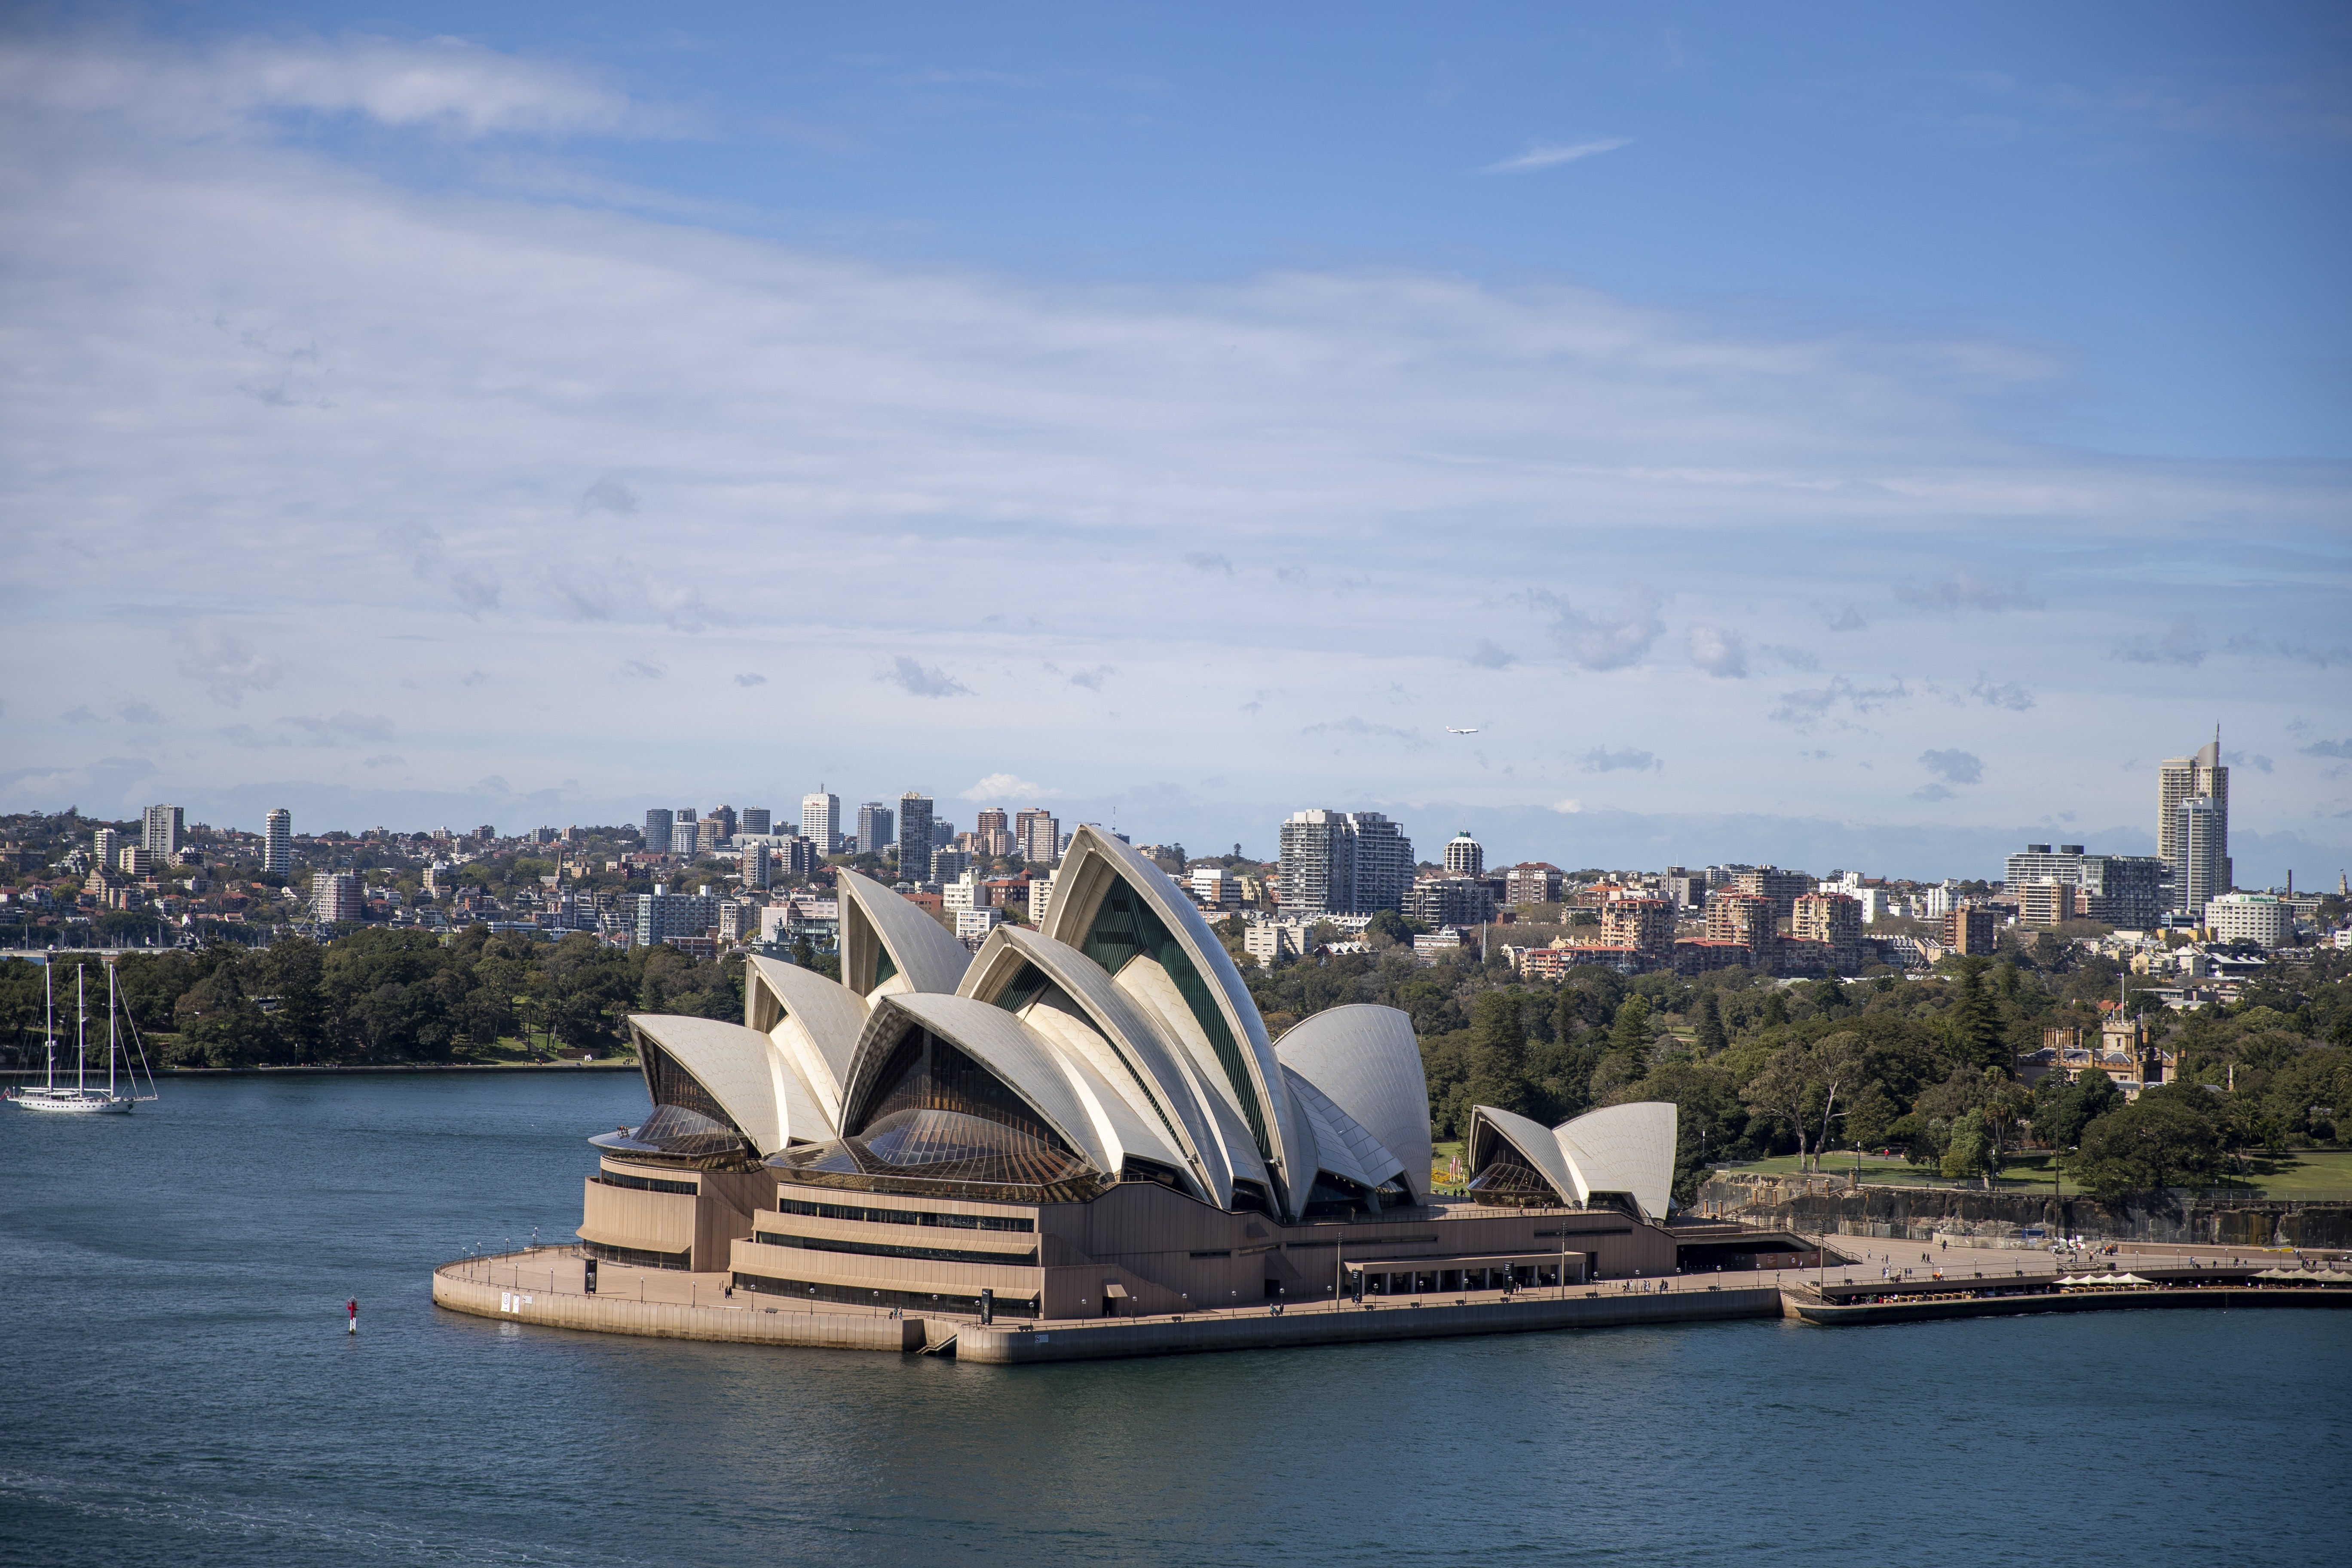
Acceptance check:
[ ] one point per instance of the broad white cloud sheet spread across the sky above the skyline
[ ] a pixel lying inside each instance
(843, 464)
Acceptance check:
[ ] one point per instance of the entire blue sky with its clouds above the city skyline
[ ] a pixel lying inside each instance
(1833, 436)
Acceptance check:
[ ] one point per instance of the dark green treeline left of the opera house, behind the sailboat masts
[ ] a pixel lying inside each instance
(380, 998)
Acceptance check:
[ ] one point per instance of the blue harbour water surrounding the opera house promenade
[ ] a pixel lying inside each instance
(178, 1388)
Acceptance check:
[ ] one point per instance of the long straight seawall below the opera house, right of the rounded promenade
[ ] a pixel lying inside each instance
(1097, 1341)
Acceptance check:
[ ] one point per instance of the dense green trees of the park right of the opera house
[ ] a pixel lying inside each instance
(1918, 1066)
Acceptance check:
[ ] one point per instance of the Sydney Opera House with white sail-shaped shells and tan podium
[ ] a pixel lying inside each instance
(1088, 1123)
